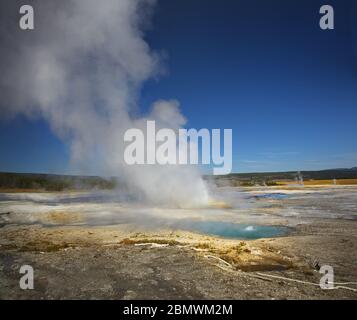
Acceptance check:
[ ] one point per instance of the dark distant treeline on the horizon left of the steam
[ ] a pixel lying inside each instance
(51, 182)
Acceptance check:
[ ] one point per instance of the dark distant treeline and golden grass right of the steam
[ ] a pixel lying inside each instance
(270, 178)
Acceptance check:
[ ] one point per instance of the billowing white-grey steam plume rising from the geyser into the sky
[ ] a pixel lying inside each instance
(81, 69)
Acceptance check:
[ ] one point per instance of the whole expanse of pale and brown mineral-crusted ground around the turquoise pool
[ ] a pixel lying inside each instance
(74, 257)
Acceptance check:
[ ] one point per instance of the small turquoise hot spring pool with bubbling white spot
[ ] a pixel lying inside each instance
(234, 230)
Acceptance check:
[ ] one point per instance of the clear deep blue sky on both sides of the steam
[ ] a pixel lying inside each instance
(262, 68)
